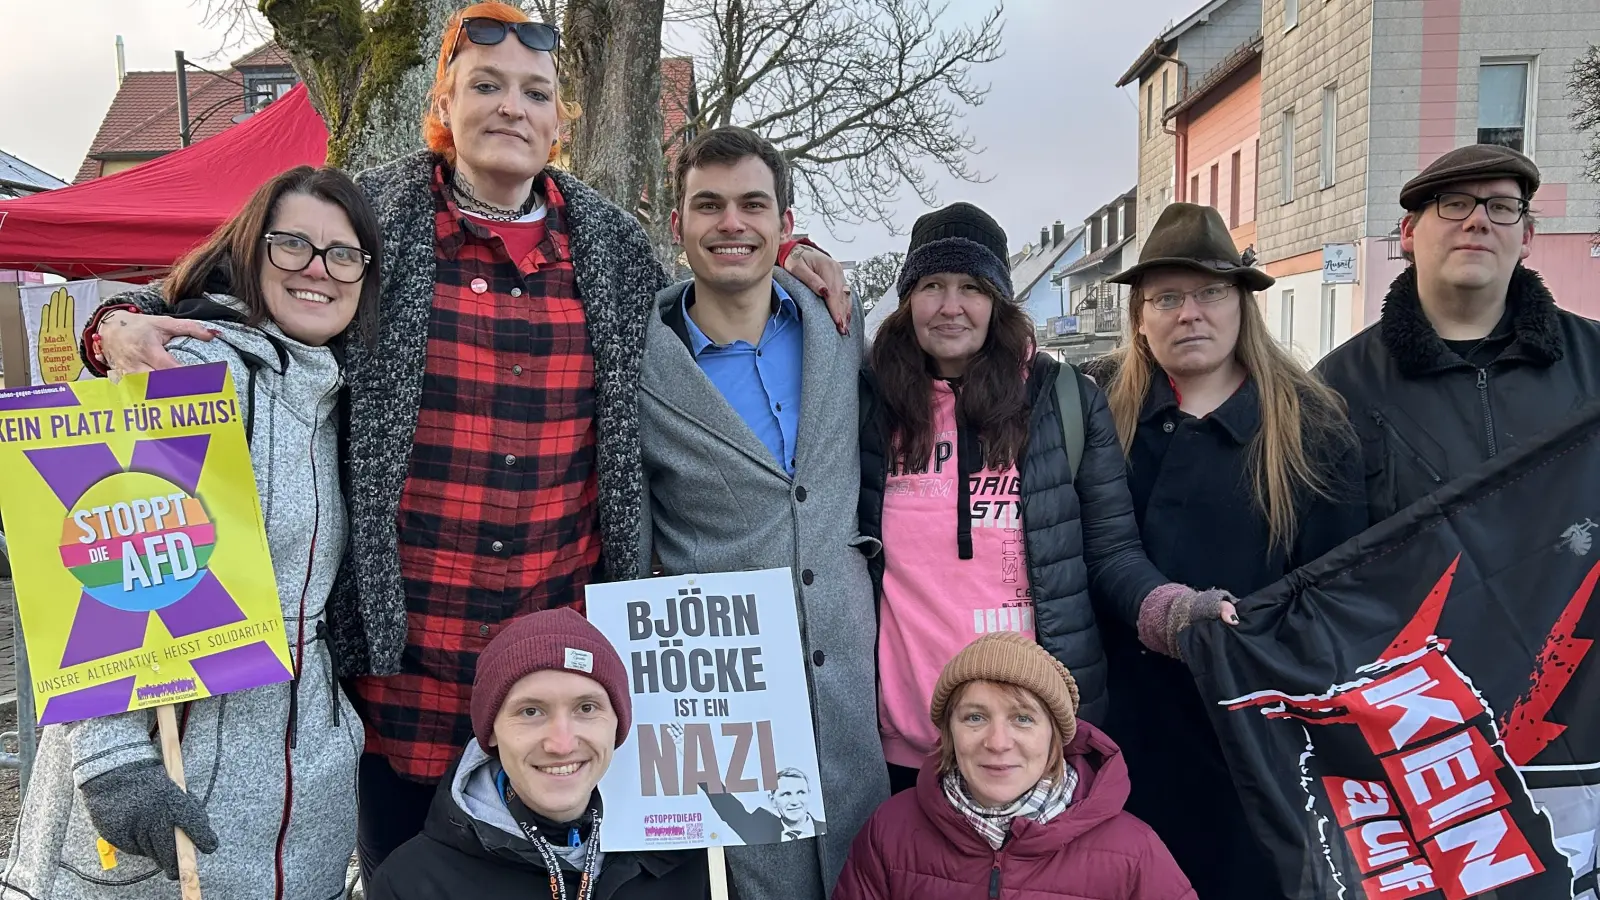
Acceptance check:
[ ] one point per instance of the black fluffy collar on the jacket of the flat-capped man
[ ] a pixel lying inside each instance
(1418, 350)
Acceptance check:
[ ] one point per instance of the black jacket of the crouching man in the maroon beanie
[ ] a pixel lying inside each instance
(462, 859)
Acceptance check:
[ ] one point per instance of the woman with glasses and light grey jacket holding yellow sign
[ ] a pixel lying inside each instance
(271, 771)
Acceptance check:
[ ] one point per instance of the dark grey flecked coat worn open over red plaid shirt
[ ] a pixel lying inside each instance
(617, 276)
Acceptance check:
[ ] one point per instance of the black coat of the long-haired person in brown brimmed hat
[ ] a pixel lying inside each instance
(1191, 484)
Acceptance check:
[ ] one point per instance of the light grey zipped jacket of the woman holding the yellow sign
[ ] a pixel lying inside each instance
(281, 795)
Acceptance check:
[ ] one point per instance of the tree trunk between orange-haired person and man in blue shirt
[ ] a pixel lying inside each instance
(614, 70)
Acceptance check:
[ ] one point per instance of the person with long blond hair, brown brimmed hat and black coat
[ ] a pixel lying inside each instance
(1242, 470)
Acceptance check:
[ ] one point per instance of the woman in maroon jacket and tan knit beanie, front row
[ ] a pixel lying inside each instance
(1020, 803)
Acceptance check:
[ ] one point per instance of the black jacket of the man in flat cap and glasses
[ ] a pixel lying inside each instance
(1426, 416)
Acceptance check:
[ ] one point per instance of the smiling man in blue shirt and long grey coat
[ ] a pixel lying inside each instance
(750, 433)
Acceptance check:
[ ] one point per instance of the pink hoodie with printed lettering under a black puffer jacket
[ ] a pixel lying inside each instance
(935, 603)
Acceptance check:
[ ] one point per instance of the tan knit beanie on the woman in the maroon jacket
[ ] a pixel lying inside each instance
(1009, 657)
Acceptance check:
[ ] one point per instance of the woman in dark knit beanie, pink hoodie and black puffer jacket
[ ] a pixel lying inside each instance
(994, 480)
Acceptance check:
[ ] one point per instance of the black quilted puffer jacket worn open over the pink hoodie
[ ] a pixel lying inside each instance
(1081, 537)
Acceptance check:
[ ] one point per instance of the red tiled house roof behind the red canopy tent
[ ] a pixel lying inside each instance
(143, 119)
